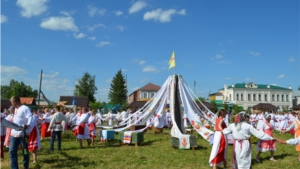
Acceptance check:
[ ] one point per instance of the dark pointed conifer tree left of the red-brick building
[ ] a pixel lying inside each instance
(118, 90)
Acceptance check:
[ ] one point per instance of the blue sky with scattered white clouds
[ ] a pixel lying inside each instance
(215, 42)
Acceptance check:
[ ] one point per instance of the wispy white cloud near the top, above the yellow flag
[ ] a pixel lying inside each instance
(162, 15)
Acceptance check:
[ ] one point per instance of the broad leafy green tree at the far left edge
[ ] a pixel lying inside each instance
(16, 88)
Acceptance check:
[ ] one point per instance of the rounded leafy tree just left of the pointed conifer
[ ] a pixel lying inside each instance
(86, 87)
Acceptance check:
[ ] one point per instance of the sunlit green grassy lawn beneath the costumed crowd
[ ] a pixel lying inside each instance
(155, 152)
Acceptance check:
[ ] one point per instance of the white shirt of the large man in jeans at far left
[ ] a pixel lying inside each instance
(23, 116)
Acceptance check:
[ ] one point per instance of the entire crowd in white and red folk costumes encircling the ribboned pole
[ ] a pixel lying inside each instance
(30, 127)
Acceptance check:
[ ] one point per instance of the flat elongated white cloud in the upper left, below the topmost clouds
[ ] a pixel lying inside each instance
(64, 23)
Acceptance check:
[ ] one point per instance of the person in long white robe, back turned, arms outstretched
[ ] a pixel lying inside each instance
(241, 131)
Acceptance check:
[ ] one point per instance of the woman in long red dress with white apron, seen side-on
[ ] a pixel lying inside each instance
(218, 155)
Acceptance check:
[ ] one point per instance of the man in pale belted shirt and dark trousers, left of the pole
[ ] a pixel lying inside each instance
(57, 128)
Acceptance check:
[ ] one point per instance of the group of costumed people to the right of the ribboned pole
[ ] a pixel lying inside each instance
(259, 124)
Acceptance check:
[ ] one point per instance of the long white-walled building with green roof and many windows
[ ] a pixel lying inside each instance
(250, 94)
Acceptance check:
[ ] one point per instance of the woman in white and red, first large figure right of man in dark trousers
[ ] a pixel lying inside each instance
(83, 128)
